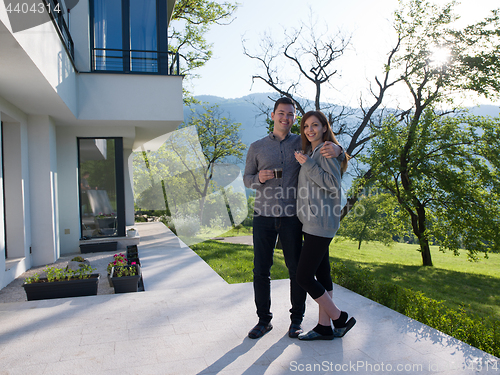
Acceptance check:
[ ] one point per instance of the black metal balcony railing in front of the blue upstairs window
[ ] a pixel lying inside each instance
(135, 61)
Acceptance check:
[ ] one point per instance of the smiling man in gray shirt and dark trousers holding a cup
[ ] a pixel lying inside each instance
(275, 213)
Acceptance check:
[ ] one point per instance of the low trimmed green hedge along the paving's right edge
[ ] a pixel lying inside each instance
(482, 333)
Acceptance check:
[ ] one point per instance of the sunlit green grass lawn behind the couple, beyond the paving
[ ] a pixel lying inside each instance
(453, 279)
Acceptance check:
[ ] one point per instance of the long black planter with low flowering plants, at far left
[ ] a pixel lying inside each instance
(62, 283)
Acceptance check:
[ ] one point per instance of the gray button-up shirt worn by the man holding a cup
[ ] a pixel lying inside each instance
(275, 197)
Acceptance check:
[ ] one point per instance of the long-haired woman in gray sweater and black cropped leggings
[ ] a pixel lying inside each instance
(318, 208)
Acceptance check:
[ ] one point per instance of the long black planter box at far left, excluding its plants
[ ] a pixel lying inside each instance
(62, 289)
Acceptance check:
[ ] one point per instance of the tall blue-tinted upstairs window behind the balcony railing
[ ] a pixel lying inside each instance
(126, 35)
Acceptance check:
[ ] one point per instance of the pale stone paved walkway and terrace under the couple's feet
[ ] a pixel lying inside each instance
(189, 321)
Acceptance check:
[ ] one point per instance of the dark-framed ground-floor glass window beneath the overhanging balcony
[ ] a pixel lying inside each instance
(101, 187)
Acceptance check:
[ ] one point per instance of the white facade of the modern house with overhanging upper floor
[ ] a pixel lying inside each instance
(47, 101)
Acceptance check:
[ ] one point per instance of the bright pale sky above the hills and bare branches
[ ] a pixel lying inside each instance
(229, 73)
